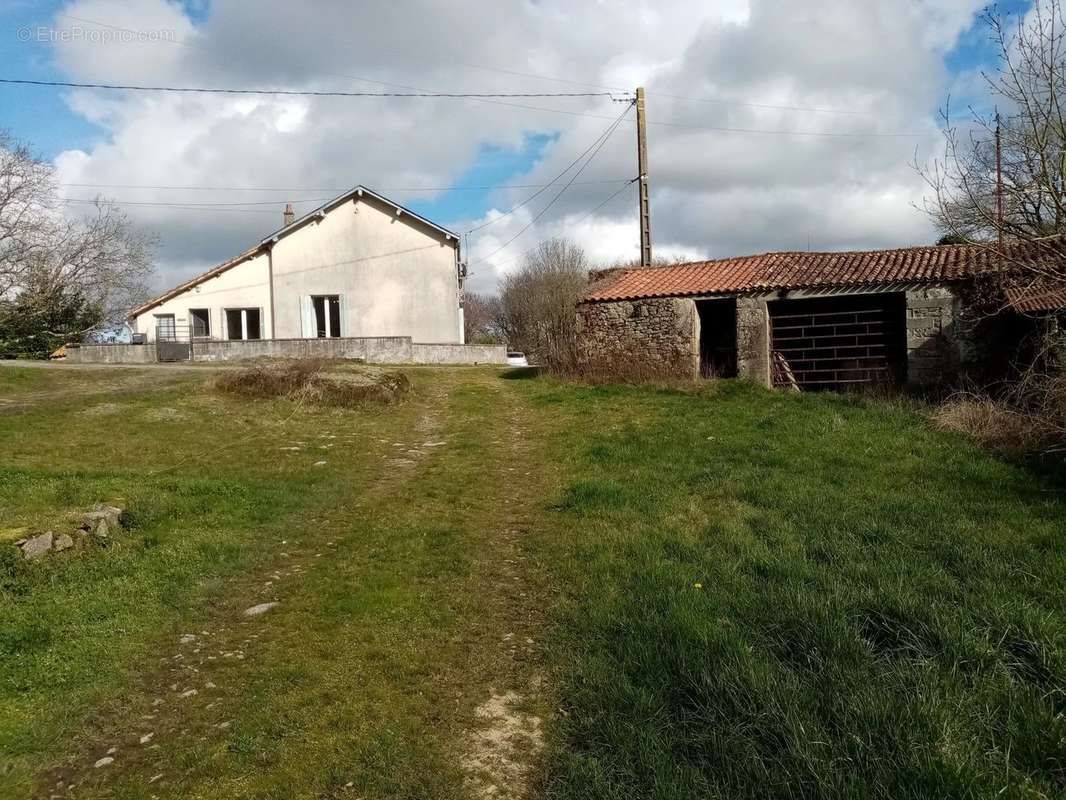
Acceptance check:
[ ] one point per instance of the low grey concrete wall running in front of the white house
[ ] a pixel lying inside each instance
(372, 350)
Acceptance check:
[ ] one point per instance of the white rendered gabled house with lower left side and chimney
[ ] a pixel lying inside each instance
(359, 266)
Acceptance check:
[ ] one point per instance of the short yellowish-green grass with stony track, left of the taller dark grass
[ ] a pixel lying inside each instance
(364, 680)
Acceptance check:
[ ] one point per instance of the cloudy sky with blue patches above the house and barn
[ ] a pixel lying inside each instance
(772, 124)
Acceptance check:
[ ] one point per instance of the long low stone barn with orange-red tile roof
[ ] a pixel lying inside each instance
(809, 321)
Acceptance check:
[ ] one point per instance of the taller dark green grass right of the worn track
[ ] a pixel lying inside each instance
(801, 597)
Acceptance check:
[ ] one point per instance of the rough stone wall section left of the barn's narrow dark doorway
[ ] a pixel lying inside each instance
(657, 334)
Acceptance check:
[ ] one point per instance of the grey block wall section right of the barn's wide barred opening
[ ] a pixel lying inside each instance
(939, 338)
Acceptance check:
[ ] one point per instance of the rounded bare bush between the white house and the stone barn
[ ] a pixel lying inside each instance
(538, 303)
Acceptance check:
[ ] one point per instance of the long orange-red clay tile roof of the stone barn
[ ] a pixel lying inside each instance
(855, 269)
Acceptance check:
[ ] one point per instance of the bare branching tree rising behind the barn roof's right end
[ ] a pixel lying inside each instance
(972, 200)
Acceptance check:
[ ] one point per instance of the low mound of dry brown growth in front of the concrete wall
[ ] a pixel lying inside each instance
(314, 383)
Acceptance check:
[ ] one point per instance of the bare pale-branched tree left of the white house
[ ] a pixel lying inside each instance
(44, 255)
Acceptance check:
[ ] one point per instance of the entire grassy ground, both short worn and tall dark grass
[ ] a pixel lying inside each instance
(519, 585)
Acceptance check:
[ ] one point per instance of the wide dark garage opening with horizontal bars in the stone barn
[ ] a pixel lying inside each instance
(843, 343)
